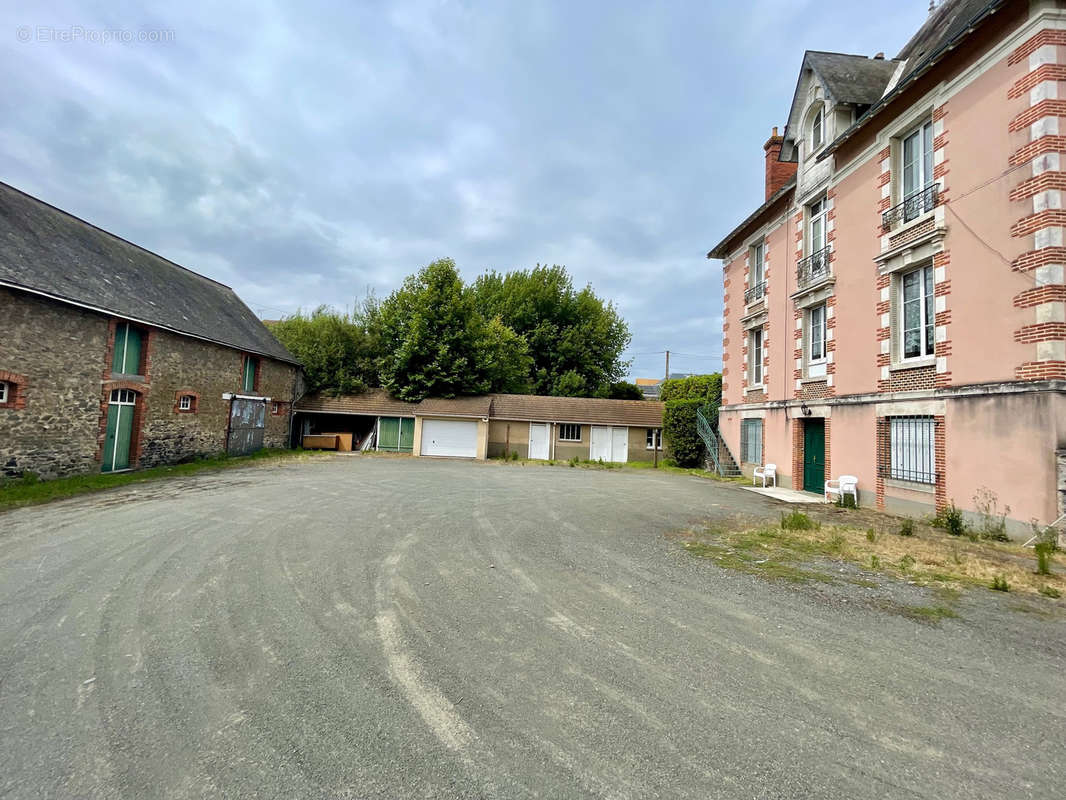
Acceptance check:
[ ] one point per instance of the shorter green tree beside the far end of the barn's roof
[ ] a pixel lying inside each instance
(335, 349)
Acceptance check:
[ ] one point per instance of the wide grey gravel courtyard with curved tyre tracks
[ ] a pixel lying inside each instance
(374, 628)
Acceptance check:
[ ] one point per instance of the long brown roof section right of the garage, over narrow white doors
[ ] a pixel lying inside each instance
(539, 408)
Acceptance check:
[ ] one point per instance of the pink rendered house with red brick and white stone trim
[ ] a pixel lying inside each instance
(897, 308)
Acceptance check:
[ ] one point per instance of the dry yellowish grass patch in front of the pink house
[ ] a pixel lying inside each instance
(935, 559)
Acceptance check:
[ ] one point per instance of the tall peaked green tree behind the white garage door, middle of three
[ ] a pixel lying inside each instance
(435, 343)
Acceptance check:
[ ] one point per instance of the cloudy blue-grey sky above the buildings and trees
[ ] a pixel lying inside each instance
(303, 153)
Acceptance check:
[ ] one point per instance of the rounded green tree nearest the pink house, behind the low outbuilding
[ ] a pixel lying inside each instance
(575, 339)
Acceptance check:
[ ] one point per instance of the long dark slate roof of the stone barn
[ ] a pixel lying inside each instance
(56, 254)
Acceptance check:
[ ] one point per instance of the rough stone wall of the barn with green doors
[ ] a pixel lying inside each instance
(64, 355)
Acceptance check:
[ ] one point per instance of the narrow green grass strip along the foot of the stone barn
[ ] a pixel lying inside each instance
(31, 491)
